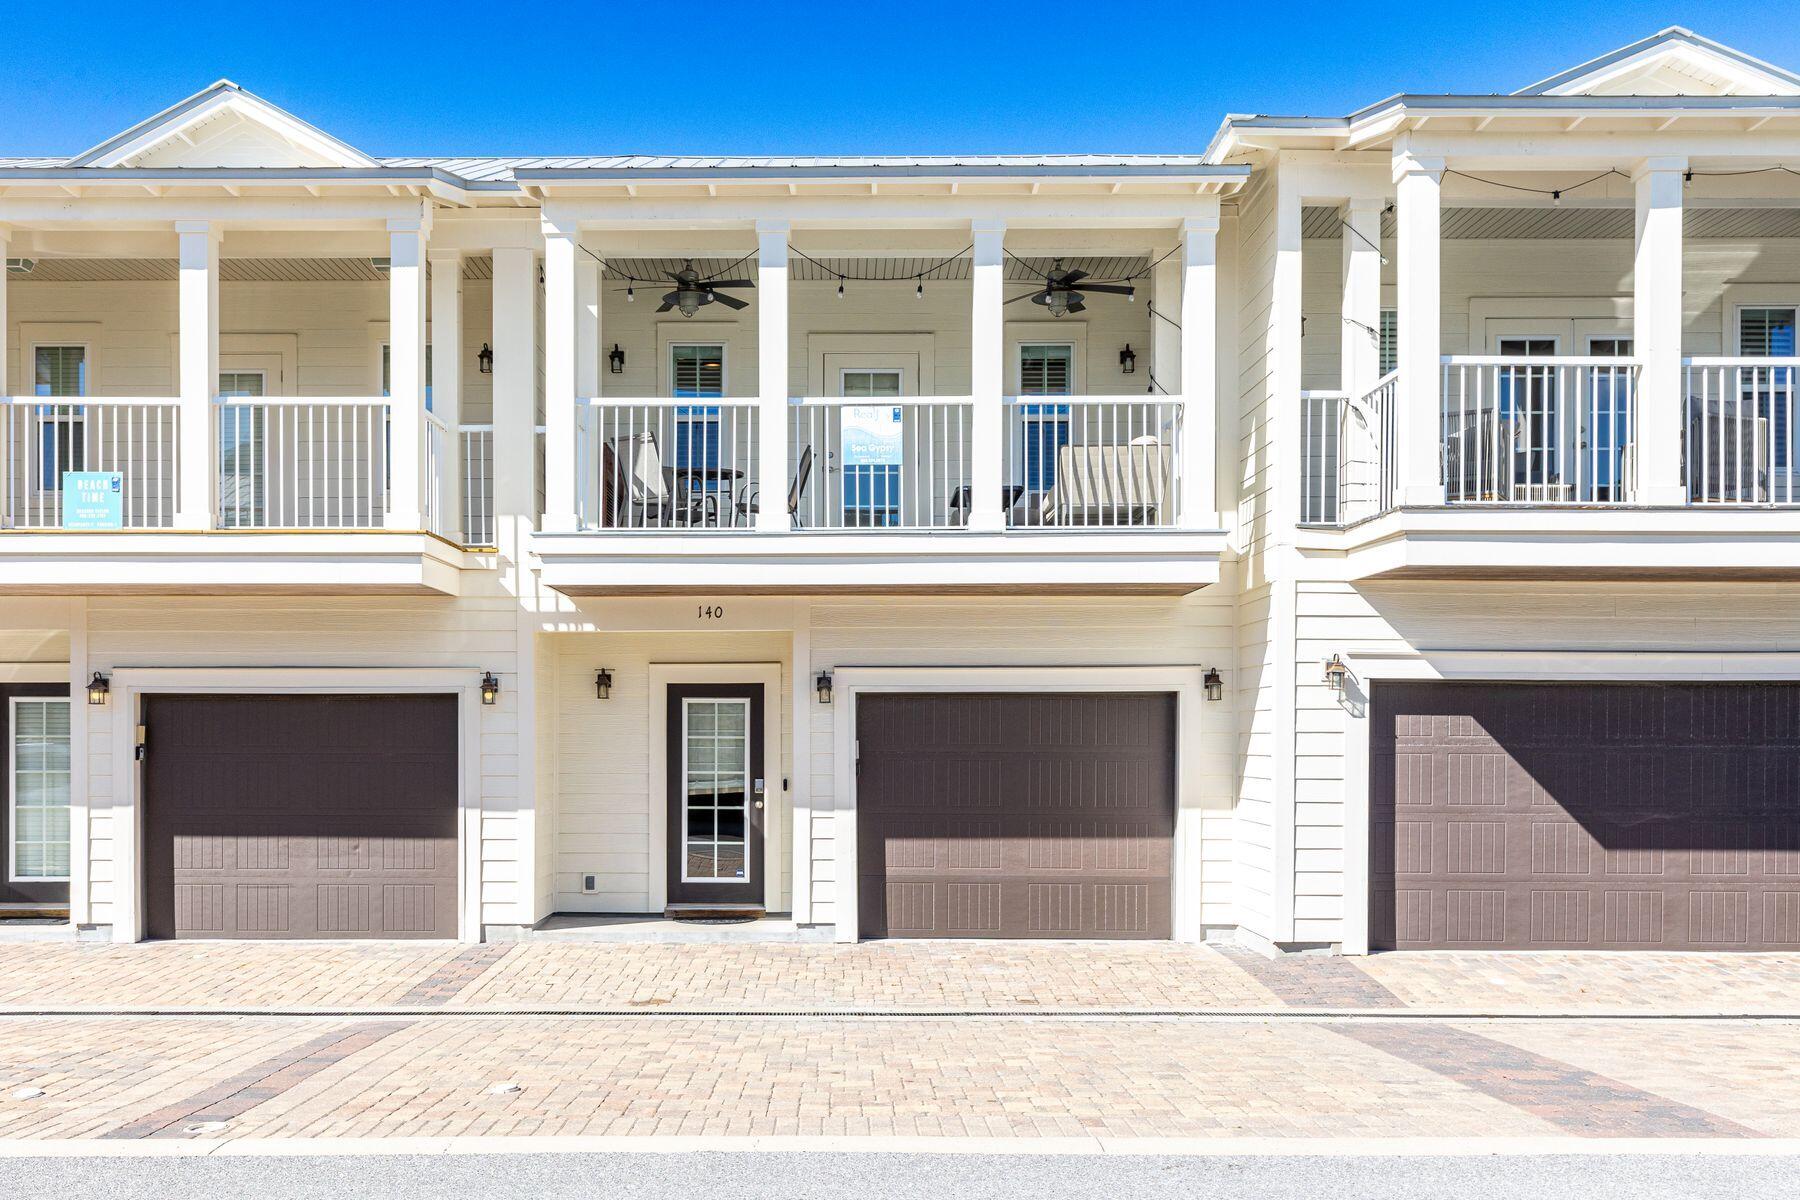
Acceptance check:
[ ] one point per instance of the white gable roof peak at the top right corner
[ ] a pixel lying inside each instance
(1675, 62)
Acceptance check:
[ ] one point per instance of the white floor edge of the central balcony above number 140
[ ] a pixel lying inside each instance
(1129, 562)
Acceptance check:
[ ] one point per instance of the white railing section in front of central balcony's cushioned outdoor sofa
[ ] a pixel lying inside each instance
(1092, 463)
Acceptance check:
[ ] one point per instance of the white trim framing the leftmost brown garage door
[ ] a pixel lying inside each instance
(130, 685)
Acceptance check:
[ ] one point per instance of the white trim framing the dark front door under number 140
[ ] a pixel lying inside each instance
(766, 674)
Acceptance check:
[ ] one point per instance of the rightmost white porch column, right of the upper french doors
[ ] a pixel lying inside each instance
(1657, 334)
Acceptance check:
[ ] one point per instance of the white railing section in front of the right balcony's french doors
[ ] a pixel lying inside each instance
(1540, 431)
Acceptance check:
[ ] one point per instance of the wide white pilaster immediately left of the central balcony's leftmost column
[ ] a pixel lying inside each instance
(516, 409)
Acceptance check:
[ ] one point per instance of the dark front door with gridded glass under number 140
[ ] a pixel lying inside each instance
(715, 794)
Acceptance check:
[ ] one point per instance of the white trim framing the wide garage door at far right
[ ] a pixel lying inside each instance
(1574, 667)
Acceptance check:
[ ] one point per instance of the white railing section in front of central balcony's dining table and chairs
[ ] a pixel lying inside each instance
(679, 465)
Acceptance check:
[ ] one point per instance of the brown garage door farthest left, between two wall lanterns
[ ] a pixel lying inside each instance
(301, 816)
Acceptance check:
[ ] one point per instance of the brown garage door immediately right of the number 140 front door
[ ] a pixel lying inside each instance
(1016, 816)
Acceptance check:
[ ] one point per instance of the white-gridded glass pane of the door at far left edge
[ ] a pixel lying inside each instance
(39, 791)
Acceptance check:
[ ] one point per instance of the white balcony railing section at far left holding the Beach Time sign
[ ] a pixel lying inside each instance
(44, 438)
